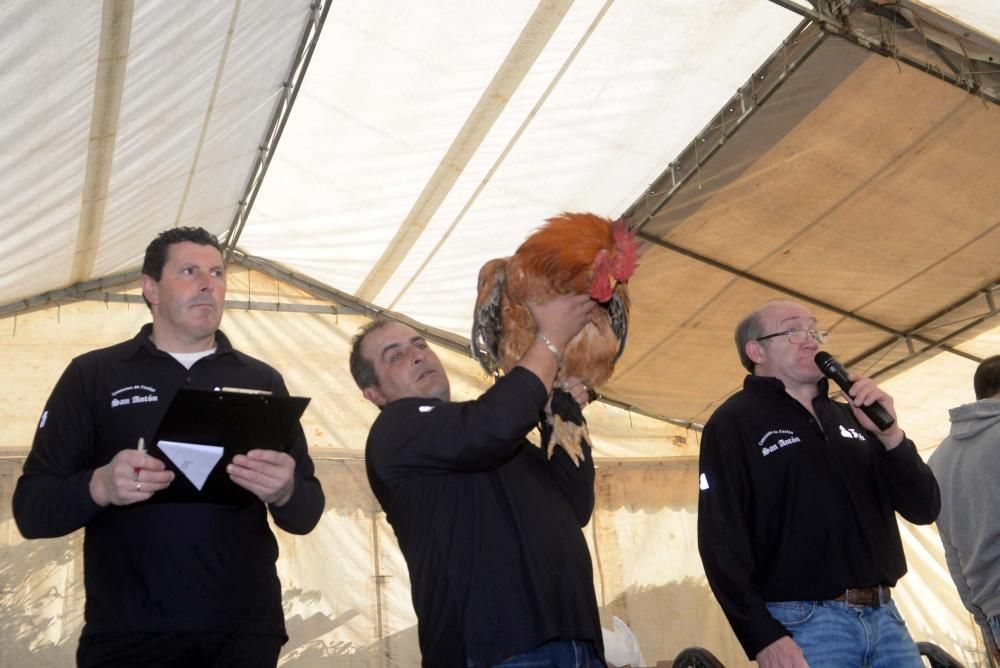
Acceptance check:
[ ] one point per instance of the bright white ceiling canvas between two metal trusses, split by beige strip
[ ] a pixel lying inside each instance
(584, 97)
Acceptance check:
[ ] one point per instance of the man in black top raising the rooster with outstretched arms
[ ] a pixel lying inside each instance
(490, 526)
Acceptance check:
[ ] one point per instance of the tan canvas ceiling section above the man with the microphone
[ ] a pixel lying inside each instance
(860, 154)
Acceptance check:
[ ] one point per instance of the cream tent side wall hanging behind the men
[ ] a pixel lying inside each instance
(346, 591)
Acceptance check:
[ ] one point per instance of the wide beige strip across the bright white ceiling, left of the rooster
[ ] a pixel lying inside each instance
(495, 97)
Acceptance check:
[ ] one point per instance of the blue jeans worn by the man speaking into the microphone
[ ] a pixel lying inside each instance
(839, 635)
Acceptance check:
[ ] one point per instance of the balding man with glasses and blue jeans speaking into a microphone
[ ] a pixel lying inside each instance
(798, 496)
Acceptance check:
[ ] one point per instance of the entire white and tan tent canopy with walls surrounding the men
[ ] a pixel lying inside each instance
(361, 158)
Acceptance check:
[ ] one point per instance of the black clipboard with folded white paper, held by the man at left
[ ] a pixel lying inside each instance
(203, 430)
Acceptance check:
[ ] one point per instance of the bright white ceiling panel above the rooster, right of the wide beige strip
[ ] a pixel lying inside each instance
(580, 145)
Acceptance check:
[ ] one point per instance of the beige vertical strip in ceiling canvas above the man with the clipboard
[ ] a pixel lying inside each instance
(116, 29)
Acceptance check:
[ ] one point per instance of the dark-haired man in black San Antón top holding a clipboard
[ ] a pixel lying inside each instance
(171, 579)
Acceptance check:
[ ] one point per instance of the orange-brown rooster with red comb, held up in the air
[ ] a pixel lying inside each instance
(571, 253)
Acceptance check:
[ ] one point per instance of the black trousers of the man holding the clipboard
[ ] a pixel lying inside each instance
(166, 650)
